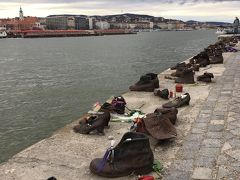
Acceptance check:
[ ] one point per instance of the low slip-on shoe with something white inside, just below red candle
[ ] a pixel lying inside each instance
(183, 100)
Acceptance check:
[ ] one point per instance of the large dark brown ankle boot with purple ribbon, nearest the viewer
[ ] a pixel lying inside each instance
(132, 155)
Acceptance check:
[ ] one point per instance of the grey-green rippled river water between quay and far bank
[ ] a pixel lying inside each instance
(47, 83)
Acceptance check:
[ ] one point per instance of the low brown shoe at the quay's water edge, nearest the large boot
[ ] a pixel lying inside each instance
(93, 122)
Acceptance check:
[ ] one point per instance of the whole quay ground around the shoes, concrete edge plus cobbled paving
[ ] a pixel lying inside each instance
(207, 145)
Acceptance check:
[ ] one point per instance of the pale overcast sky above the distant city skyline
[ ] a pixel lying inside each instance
(202, 10)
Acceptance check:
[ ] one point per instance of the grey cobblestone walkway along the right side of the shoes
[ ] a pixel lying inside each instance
(212, 148)
